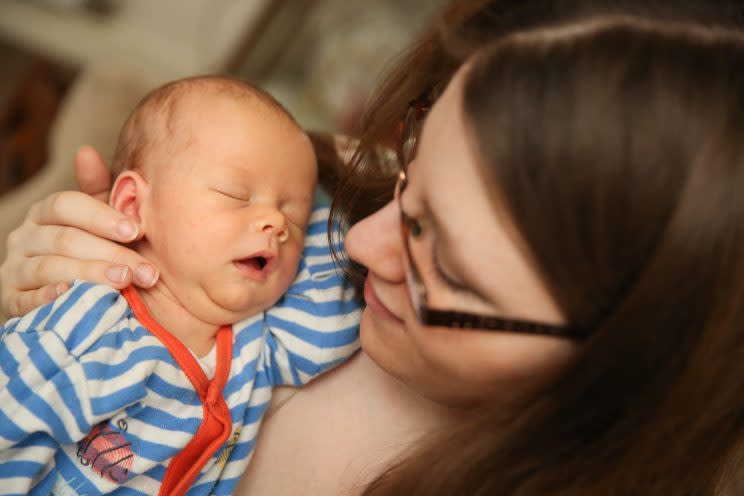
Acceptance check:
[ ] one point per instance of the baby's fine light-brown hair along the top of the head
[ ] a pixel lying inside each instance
(154, 117)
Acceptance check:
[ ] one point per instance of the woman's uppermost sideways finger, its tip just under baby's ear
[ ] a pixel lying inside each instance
(72, 208)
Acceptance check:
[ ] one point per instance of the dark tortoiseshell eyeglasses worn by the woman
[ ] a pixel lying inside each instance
(412, 228)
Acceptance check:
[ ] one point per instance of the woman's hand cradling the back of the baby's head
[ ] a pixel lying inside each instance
(71, 235)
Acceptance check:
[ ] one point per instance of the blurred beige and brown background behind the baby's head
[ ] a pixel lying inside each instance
(73, 69)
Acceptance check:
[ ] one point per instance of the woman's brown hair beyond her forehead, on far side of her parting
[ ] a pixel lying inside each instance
(363, 184)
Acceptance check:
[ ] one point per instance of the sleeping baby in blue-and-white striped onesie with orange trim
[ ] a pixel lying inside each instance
(159, 391)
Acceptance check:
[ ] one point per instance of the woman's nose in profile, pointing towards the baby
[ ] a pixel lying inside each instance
(376, 243)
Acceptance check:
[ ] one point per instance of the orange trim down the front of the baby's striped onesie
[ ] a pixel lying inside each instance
(216, 423)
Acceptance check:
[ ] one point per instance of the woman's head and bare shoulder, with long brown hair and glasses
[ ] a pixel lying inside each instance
(607, 215)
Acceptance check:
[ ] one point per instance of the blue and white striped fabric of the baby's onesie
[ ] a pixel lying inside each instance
(85, 363)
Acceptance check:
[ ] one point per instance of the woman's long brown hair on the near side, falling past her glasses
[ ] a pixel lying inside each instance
(617, 146)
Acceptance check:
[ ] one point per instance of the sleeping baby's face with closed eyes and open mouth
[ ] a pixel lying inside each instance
(228, 207)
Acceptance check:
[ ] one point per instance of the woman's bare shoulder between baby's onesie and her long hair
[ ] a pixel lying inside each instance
(336, 433)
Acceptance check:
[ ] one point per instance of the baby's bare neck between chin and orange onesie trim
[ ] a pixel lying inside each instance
(195, 334)
